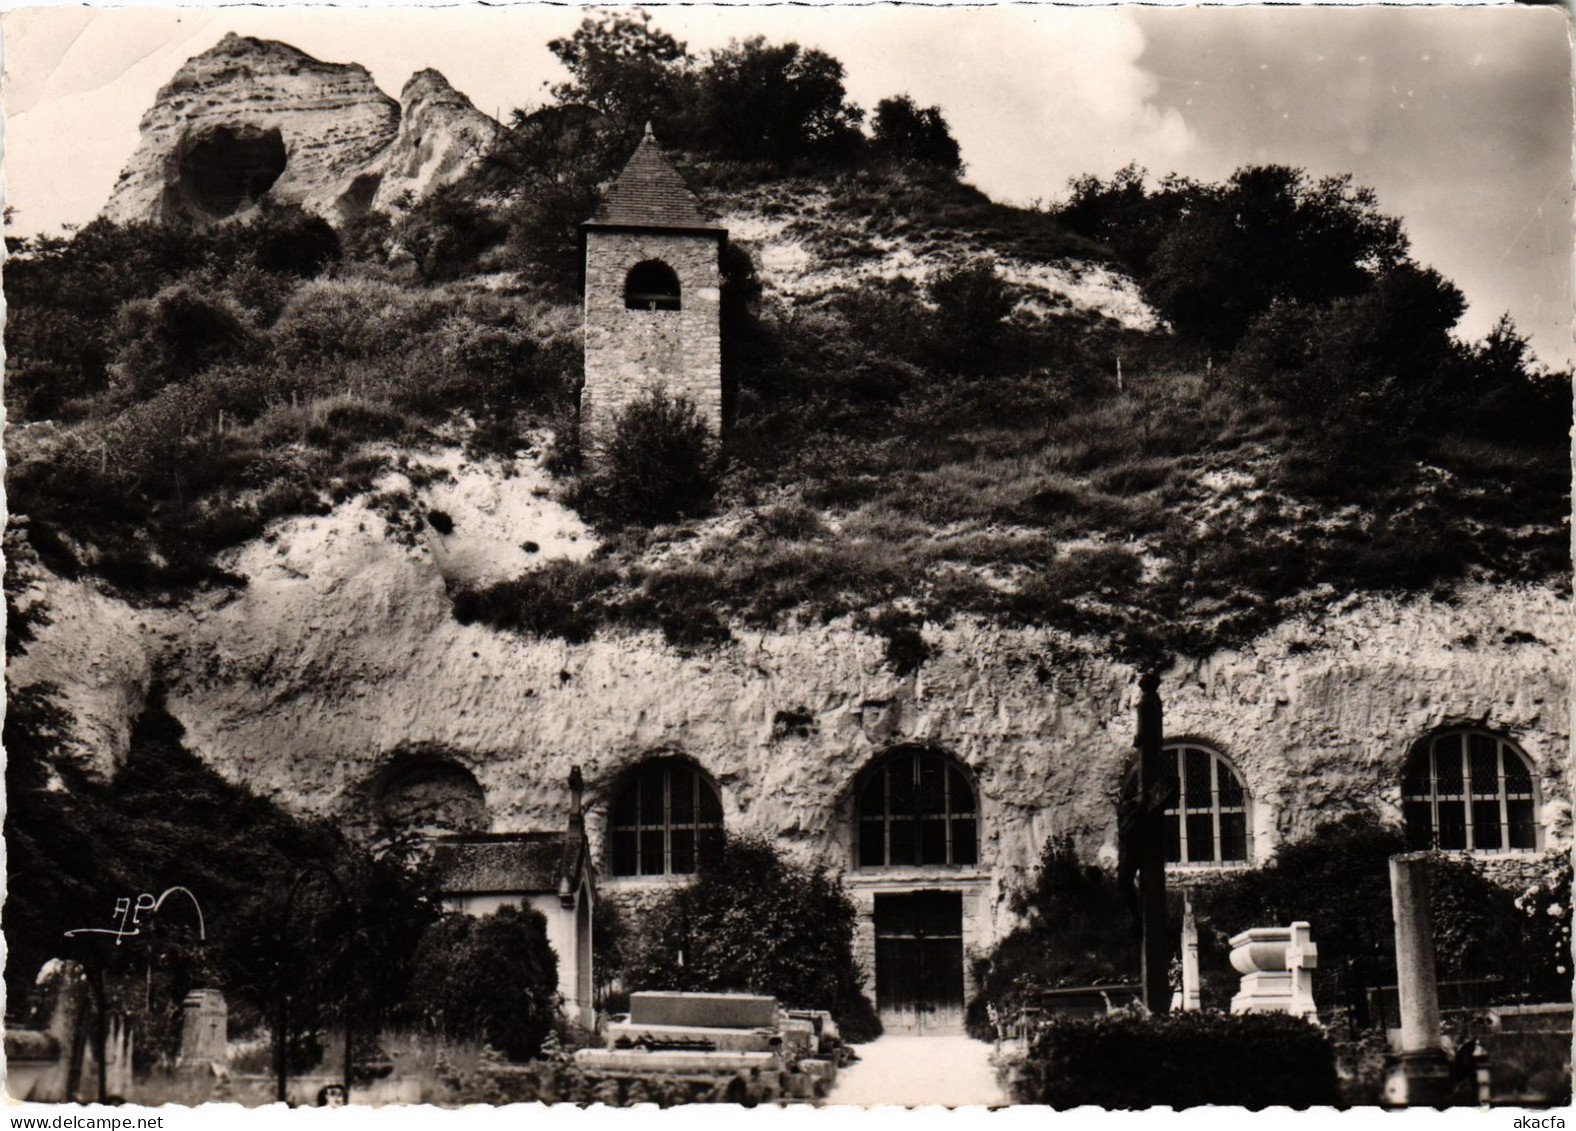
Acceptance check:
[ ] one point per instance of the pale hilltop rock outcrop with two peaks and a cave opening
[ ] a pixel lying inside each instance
(256, 119)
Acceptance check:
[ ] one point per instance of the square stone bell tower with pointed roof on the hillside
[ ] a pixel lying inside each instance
(653, 289)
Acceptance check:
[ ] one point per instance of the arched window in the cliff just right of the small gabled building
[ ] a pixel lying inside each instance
(666, 817)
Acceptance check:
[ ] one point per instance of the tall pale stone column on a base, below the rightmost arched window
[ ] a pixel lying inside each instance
(1422, 1072)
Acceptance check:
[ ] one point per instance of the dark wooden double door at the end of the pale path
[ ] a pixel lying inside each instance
(920, 962)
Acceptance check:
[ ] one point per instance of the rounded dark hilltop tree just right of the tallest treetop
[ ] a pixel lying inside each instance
(778, 103)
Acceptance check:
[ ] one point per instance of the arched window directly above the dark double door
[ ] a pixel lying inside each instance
(916, 807)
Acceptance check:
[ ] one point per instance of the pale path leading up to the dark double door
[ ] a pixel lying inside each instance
(920, 1070)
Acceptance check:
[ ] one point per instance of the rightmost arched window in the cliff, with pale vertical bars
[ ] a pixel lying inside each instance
(1470, 790)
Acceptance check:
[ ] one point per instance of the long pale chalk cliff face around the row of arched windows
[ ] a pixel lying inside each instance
(341, 656)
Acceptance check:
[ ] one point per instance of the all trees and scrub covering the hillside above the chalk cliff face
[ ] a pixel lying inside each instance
(904, 447)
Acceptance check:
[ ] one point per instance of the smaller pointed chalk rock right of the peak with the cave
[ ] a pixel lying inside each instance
(442, 136)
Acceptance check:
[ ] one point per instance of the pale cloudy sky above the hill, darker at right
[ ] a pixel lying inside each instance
(1459, 117)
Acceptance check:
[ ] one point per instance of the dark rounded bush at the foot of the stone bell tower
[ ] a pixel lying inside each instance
(658, 465)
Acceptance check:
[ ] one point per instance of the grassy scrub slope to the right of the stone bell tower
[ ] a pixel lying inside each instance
(1165, 513)
